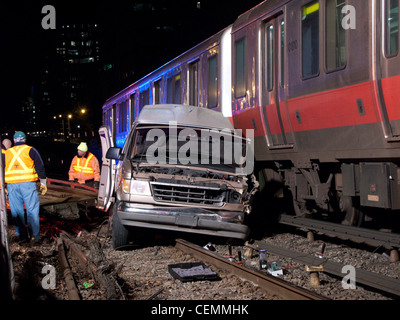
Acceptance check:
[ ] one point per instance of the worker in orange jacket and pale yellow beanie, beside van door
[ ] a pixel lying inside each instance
(85, 167)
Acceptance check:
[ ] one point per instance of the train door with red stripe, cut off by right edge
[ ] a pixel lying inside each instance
(388, 68)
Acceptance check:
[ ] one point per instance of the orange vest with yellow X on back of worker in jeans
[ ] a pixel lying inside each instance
(19, 165)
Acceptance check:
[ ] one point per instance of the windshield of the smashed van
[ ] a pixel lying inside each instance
(187, 146)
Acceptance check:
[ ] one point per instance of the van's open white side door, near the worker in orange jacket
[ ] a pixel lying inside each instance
(107, 179)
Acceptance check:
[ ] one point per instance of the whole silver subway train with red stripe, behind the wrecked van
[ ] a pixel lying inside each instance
(318, 82)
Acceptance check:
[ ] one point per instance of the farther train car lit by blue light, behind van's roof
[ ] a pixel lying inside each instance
(199, 77)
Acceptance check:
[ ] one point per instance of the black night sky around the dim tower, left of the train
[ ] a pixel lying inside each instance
(135, 37)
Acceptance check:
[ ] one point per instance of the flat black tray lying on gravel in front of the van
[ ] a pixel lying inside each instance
(192, 271)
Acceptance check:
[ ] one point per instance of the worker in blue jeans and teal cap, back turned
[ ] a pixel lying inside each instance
(23, 168)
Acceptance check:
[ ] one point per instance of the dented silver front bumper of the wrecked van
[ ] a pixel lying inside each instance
(183, 219)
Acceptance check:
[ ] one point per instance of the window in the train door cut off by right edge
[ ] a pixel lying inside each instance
(392, 27)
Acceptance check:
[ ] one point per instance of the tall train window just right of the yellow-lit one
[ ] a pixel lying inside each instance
(335, 35)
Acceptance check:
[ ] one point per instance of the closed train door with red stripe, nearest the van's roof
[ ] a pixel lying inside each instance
(274, 95)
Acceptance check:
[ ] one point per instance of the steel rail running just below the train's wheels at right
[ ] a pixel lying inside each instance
(368, 236)
